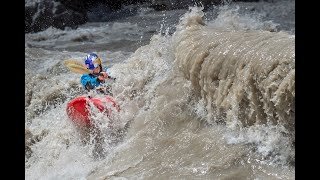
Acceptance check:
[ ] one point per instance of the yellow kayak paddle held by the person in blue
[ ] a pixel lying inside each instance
(77, 67)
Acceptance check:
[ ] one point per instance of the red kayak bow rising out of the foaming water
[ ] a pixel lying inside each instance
(78, 109)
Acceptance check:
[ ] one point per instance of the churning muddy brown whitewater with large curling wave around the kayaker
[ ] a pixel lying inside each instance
(207, 101)
